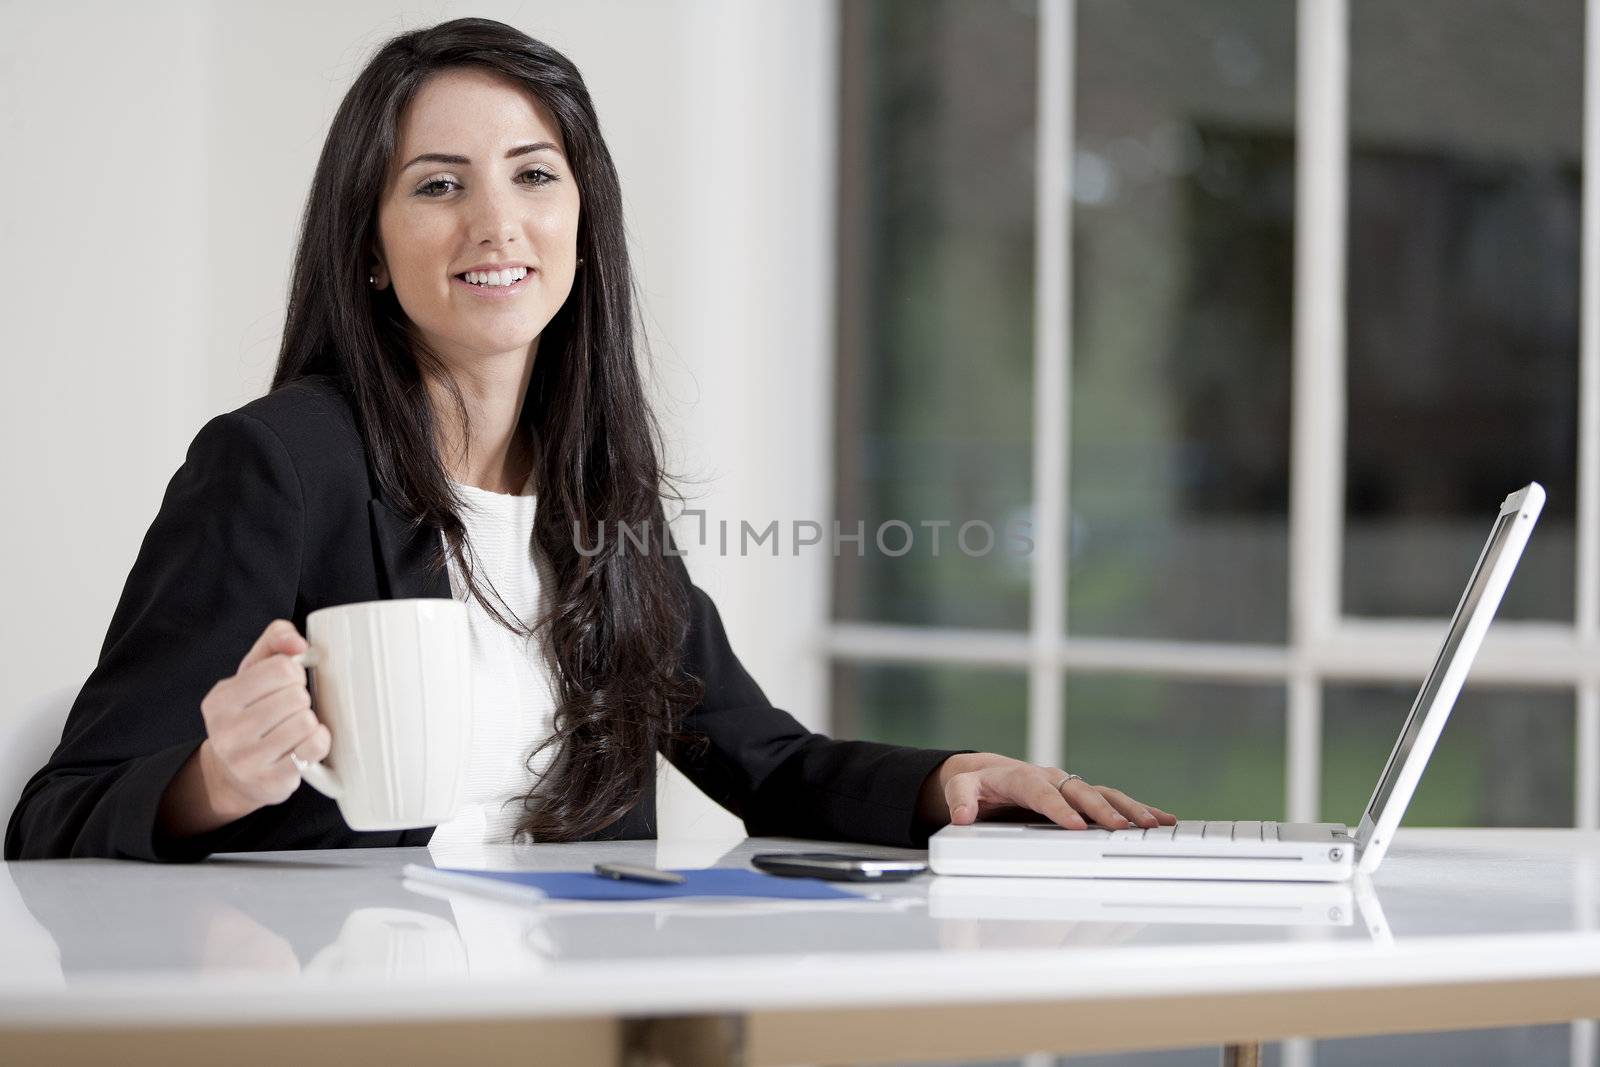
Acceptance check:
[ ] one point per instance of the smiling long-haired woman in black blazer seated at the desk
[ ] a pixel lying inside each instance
(455, 412)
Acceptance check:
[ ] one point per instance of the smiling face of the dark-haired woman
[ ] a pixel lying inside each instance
(506, 198)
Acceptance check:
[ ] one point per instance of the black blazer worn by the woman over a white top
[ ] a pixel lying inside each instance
(276, 513)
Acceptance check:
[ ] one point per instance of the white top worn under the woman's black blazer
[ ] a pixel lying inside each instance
(513, 682)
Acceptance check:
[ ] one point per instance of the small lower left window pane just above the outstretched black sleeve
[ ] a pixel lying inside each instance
(932, 708)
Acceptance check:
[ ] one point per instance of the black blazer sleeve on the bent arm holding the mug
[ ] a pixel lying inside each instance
(218, 564)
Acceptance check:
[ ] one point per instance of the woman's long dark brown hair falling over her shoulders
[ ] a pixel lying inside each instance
(617, 618)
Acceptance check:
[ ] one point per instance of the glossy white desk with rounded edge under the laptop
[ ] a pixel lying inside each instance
(326, 957)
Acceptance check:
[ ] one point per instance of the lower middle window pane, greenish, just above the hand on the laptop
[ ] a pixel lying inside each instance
(1198, 749)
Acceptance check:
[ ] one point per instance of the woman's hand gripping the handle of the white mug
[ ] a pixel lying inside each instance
(257, 717)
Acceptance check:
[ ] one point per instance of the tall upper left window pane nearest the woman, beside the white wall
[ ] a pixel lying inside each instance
(937, 310)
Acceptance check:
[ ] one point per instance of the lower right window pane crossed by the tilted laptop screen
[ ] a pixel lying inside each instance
(1505, 759)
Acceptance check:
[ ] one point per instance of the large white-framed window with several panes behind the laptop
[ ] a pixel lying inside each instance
(1255, 311)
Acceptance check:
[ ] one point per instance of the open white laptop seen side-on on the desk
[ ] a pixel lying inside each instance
(1273, 852)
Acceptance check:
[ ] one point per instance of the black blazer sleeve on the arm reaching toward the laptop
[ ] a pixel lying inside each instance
(782, 778)
